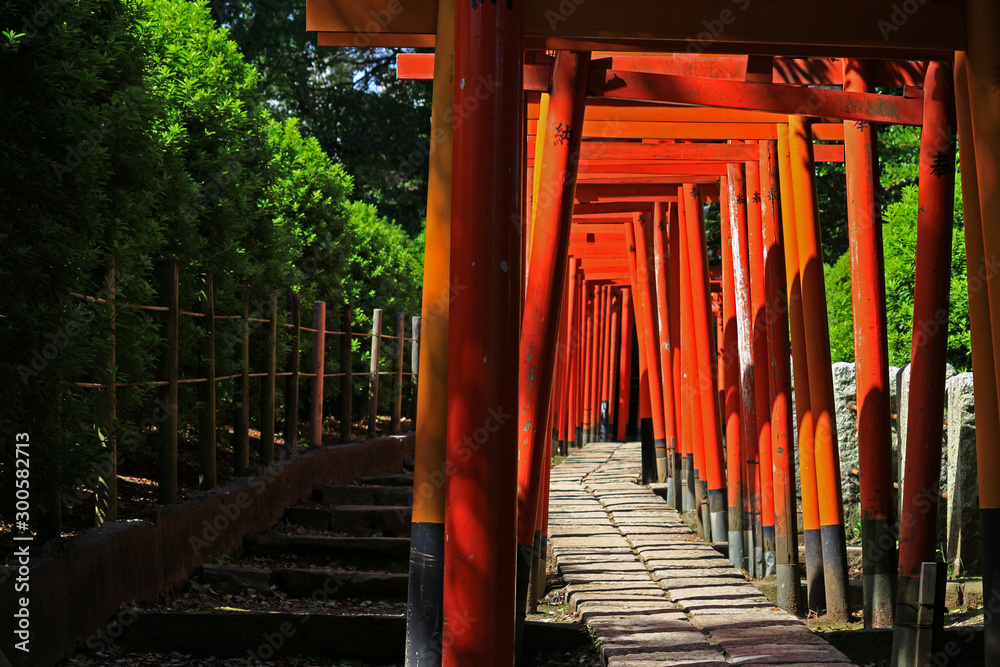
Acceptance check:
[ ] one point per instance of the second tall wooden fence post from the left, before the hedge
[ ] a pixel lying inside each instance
(167, 434)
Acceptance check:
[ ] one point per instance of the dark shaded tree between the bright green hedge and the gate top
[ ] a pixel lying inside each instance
(349, 99)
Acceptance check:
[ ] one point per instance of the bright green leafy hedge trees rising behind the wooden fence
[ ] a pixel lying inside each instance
(133, 132)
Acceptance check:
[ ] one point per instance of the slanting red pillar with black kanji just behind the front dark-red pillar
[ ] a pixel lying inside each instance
(543, 301)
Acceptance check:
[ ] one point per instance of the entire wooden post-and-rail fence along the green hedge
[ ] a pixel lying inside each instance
(167, 432)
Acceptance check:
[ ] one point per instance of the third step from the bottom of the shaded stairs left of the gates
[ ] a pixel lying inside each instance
(377, 552)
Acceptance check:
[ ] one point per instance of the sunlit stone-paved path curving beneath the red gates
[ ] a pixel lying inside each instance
(653, 592)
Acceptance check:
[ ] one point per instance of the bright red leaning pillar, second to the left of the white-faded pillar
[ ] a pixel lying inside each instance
(713, 473)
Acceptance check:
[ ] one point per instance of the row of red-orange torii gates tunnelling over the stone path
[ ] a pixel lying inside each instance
(573, 147)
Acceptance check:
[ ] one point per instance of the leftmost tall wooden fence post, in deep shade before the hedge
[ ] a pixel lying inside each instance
(106, 502)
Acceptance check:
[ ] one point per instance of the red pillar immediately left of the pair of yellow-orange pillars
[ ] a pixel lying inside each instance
(786, 543)
